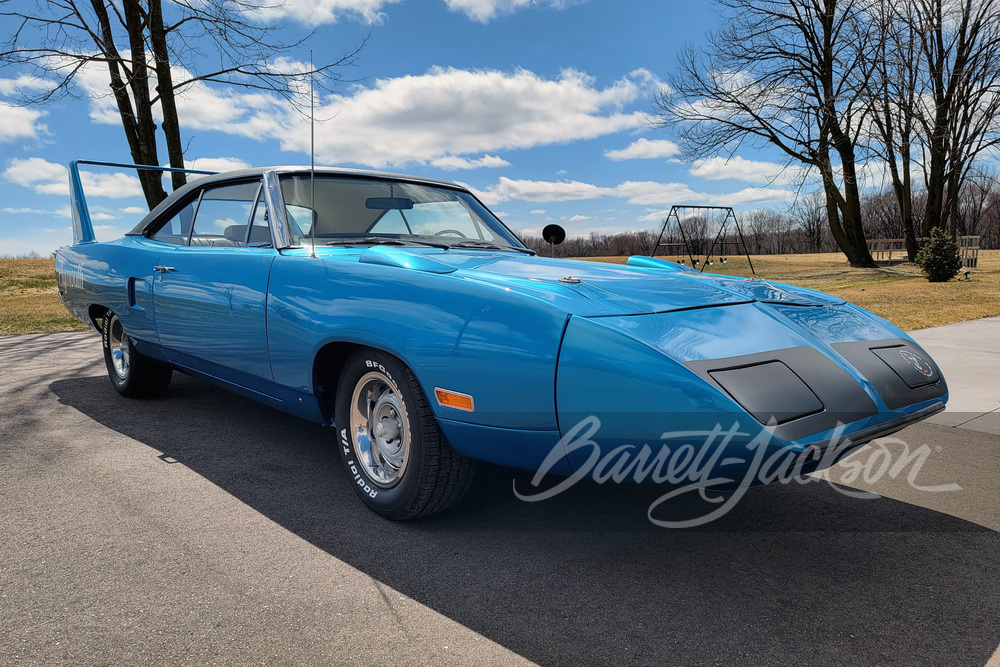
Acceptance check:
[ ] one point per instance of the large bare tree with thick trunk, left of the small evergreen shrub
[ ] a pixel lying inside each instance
(784, 73)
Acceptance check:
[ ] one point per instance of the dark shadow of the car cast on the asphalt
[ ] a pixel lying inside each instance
(795, 573)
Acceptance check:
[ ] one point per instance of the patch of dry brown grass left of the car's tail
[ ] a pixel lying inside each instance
(29, 302)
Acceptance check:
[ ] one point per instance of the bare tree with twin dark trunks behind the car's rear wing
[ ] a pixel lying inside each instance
(143, 48)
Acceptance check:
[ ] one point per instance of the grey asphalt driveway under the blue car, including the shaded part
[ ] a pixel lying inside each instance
(202, 528)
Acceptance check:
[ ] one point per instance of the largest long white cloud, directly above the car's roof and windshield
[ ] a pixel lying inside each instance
(450, 112)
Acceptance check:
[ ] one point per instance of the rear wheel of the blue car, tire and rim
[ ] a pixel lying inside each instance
(132, 373)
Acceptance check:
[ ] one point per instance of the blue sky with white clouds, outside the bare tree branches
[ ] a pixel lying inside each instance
(543, 107)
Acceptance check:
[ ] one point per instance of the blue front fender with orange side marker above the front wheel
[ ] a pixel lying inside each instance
(455, 333)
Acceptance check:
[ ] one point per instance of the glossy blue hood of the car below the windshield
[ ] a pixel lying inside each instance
(644, 285)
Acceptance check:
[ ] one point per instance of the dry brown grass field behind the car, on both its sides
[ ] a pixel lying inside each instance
(29, 302)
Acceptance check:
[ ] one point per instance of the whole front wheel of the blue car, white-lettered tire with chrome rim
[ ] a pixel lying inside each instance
(399, 462)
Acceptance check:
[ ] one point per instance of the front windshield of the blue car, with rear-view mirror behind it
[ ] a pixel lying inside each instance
(361, 210)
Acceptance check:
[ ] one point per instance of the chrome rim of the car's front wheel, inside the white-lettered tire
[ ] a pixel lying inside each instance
(379, 428)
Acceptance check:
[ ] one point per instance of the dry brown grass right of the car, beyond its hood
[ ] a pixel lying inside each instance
(900, 294)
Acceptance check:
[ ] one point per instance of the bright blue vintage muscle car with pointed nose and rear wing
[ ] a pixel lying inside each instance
(403, 313)
